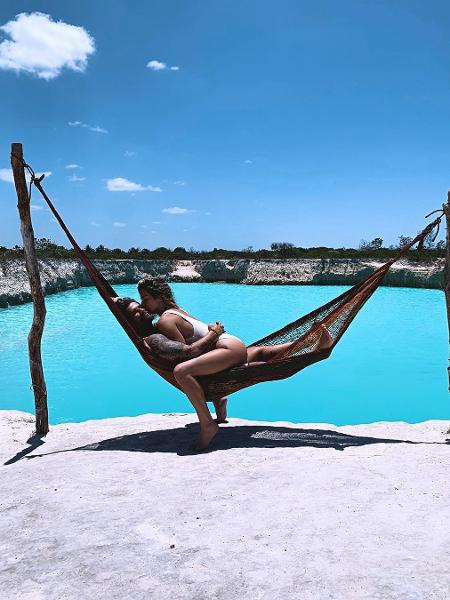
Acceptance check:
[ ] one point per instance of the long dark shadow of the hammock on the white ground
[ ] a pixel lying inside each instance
(180, 440)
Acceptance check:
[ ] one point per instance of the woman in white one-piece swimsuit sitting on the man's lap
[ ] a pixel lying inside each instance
(177, 324)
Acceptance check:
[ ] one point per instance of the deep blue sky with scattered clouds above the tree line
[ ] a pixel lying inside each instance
(312, 122)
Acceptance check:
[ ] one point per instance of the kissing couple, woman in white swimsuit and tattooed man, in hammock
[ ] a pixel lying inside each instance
(194, 347)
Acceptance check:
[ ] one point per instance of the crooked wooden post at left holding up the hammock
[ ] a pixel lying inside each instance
(37, 327)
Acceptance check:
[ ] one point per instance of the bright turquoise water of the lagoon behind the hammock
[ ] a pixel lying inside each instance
(390, 365)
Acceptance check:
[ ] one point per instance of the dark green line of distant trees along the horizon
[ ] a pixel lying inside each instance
(46, 248)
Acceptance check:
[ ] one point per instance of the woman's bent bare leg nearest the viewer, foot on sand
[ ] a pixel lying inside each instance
(227, 355)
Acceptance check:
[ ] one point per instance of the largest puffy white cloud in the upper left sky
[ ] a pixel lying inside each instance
(42, 47)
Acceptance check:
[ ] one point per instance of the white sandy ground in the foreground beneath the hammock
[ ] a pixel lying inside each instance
(120, 508)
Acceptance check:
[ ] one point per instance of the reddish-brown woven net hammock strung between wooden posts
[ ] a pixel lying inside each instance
(304, 333)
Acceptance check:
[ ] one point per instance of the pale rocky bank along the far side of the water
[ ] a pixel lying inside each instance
(60, 275)
